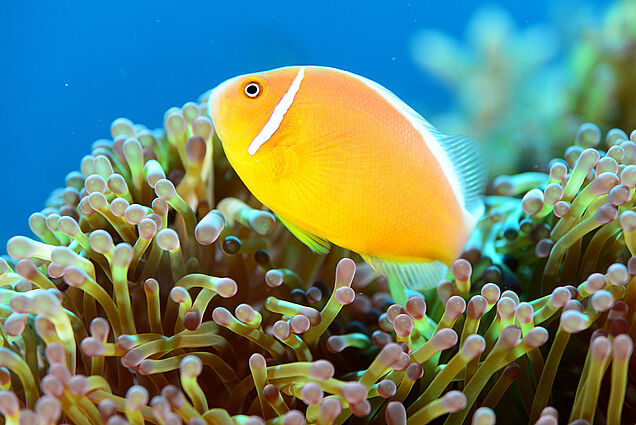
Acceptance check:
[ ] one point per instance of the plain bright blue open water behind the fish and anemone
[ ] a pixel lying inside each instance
(70, 68)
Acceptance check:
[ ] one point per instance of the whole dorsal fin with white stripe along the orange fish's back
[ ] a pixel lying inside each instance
(462, 159)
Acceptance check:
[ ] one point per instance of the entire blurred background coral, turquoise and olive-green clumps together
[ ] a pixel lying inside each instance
(517, 88)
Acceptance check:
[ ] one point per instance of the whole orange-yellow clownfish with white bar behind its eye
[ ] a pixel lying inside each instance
(342, 160)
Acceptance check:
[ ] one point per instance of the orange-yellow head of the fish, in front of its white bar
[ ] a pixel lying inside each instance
(242, 106)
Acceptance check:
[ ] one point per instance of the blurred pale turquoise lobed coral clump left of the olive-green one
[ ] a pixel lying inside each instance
(497, 76)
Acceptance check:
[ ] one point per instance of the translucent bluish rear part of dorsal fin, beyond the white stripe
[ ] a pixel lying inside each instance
(468, 160)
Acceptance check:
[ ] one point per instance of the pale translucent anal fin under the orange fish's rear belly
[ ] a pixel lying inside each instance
(418, 276)
